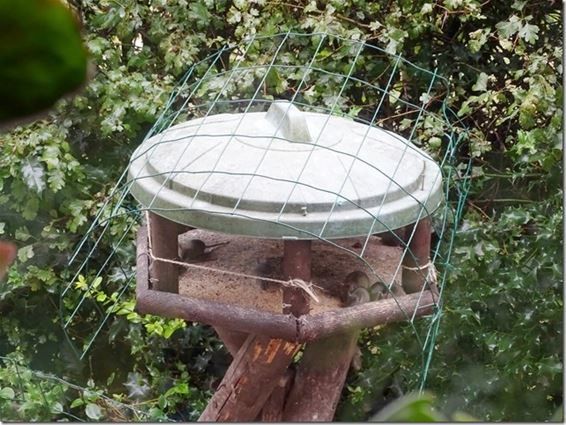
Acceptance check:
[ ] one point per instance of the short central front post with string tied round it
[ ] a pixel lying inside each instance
(296, 265)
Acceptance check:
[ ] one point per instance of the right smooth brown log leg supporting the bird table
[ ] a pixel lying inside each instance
(320, 378)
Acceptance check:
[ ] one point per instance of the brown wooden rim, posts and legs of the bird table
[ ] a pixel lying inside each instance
(262, 383)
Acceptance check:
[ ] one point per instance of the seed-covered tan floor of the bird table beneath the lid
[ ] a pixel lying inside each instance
(330, 265)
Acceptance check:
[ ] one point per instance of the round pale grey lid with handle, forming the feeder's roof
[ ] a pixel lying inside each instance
(284, 173)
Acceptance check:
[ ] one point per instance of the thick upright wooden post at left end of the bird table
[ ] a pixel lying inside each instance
(164, 232)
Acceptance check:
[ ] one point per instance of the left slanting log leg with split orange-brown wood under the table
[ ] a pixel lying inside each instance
(250, 379)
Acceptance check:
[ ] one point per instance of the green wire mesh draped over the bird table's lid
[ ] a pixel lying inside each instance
(205, 91)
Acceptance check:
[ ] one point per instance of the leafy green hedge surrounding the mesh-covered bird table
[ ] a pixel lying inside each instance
(499, 352)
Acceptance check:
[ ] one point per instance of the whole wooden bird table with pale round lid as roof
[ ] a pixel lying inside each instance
(303, 191)
